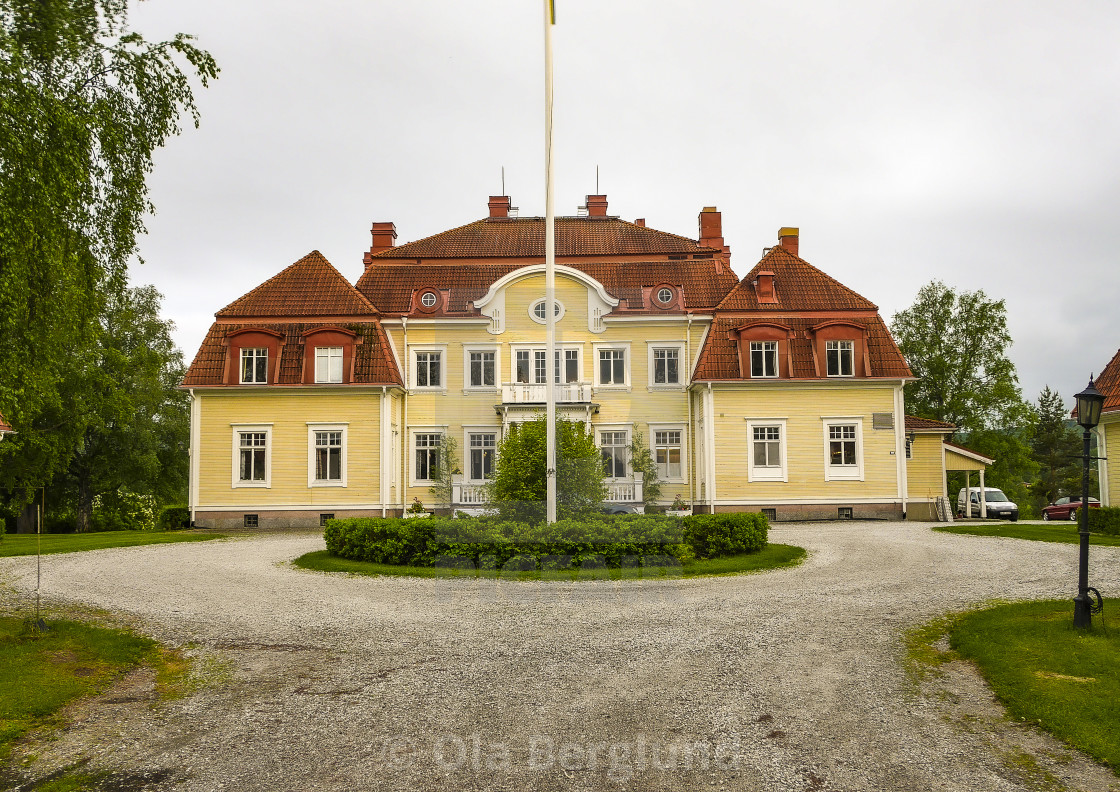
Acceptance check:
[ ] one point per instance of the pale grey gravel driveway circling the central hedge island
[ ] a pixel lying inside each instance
(785, 681)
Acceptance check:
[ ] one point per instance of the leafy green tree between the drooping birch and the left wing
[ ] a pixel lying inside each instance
(136, 420)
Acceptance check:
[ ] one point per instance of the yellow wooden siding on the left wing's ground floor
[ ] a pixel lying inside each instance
(290, 413)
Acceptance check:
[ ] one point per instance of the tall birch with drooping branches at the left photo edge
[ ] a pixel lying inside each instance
(83, 106)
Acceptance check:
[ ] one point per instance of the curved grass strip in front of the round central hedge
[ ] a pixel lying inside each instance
(771, 557)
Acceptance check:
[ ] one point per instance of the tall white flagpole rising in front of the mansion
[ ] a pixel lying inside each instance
(550, 285)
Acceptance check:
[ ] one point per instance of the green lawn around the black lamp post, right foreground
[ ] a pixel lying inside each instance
(1046, 670)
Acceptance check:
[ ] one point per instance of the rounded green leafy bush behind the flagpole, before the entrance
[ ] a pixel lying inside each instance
(519, 487)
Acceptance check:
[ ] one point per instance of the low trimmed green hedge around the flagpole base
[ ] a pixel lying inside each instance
(493, 544)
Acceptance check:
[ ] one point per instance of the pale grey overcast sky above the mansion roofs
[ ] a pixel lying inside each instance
(973, 143)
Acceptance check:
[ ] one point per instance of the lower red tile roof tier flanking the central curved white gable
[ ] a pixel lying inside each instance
(390, 285)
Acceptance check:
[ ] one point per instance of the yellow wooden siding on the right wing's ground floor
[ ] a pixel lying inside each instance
(804, 408)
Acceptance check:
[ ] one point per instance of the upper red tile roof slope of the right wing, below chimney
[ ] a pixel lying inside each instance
(798, 286)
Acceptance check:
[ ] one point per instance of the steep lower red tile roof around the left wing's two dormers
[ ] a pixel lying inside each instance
(375, 362)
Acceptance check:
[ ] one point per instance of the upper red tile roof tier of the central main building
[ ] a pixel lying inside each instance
(525, 238)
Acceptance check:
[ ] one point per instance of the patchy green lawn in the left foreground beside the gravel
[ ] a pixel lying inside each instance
(40, 676)
